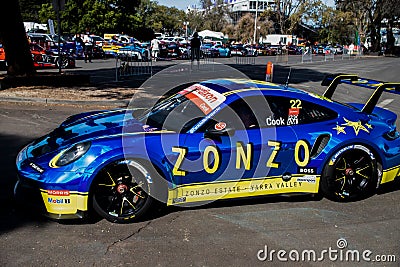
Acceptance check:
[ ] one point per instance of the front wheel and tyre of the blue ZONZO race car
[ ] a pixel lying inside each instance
(121, 192)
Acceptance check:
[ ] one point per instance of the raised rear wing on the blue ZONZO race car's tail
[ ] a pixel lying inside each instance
(333, 80)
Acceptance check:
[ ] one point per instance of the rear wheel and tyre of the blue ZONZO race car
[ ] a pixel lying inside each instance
(351, 174)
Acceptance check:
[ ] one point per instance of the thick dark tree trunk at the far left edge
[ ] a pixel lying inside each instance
(15, 43)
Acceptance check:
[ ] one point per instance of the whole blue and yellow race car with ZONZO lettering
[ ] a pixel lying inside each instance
(216, 139)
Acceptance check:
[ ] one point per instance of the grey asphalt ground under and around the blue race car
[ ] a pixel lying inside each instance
(226, 233)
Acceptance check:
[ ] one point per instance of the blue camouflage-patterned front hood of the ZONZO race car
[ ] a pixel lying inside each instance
(87, 127)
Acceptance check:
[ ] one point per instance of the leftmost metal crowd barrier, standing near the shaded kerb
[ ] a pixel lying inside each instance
(128, 64)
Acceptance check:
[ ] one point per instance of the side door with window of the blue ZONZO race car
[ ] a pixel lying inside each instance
(244, 140)
